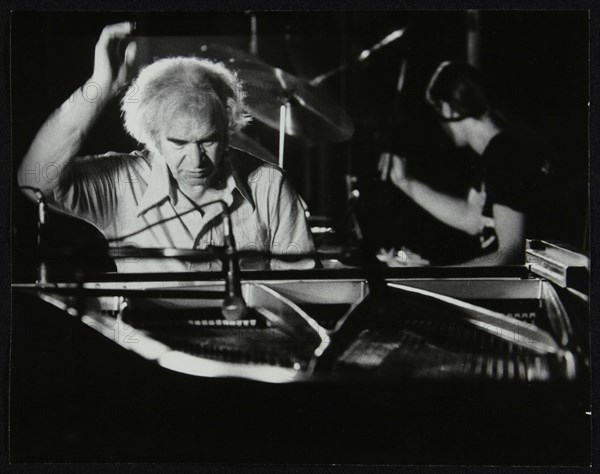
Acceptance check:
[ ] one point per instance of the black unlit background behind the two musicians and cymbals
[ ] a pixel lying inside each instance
(536, 63)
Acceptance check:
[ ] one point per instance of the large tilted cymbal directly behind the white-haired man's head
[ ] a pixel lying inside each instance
(310, 113)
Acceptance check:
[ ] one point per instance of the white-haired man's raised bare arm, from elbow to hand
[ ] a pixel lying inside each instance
(60, 138)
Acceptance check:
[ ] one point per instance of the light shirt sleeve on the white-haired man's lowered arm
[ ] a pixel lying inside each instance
(289, 229)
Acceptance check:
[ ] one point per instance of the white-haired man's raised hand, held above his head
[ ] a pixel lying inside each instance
(112, 62)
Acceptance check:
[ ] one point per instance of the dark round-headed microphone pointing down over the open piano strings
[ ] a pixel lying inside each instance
(234, 306)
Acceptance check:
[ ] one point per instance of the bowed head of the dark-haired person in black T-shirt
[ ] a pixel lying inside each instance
(457, 95)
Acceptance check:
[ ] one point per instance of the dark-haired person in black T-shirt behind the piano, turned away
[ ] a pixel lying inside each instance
(499, 209)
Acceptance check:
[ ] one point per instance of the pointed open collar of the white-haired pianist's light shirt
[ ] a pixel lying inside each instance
(160, 186)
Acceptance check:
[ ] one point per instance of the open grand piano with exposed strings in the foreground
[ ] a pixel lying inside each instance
(437, 365)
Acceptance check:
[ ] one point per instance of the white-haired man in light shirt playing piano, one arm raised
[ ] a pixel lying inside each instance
(183, 110)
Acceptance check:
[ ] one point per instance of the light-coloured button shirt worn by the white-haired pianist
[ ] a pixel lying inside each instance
(133, 199)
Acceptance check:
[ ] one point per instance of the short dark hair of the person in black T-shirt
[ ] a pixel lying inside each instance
(461, 86)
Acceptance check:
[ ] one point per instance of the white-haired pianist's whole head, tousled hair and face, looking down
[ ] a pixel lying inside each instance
(185, 109)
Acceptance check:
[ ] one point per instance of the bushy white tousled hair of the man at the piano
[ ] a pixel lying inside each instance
(169, 84)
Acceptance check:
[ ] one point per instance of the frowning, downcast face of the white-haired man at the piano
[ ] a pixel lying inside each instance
(193, 145)
